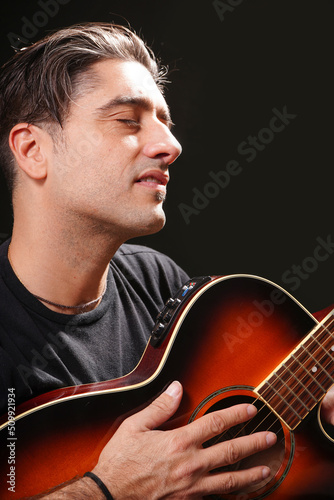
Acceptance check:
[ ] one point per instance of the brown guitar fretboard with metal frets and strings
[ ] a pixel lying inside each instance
(304, 377)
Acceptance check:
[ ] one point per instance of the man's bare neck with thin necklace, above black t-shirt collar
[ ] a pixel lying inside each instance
(65, 270)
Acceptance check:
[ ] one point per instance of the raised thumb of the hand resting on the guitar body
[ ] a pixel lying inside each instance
(161, 409)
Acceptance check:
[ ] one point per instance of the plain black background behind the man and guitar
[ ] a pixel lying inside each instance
(229, 69)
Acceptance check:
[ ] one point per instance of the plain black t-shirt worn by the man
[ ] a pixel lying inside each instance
(42, 350)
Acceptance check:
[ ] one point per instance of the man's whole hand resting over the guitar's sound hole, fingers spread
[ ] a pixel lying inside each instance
(142, 462)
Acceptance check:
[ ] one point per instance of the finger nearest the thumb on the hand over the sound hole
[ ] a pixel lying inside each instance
(215, 423)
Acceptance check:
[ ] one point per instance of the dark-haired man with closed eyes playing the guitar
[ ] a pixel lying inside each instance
(86, 148)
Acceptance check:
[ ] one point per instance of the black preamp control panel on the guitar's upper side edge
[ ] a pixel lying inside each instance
(172, 307)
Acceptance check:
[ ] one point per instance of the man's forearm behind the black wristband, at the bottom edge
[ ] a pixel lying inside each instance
(76, 489)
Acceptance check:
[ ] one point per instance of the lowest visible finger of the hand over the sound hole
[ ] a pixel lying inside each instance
(223, 483)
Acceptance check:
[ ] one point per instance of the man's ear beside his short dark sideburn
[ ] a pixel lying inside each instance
(30, 145)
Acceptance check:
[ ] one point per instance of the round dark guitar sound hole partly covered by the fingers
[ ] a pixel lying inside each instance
(265, 420)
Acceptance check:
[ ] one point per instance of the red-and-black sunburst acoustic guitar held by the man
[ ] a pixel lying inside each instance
(228, 340)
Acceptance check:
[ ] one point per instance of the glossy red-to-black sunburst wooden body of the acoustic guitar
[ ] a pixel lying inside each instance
(224, 343)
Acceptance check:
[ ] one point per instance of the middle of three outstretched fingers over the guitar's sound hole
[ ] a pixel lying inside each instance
(232, 451)
